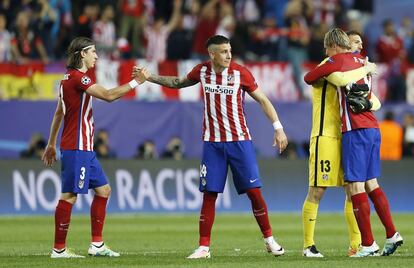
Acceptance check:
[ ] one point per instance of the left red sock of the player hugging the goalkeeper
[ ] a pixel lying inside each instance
(362, 212)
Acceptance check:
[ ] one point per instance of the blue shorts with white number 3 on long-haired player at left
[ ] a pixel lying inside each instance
(81, 171)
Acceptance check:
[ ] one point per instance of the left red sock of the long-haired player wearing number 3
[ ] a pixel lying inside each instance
(62, 220)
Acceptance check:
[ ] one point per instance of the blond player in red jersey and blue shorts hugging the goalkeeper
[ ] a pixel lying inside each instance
(361, 140)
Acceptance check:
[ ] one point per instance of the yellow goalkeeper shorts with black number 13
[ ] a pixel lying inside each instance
(325, 168)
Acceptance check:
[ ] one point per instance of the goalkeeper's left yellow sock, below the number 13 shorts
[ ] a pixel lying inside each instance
(309, 214)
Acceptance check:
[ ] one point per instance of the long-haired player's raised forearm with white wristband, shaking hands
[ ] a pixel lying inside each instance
(112, 94)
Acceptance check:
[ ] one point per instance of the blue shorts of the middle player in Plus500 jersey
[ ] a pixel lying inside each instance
(240, 156)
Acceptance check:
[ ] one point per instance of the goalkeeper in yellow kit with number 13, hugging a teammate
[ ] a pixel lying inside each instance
(325, 168)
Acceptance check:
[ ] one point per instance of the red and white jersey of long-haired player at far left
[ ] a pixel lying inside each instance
(77, 107)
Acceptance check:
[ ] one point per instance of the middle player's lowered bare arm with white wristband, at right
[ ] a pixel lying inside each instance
(279, 139)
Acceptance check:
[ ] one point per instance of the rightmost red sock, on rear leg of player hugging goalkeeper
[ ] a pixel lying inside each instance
(382, 207)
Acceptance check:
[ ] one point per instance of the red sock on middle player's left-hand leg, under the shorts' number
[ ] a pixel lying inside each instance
(207, 214)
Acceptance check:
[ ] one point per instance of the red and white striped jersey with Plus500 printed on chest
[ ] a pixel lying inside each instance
(224, 118)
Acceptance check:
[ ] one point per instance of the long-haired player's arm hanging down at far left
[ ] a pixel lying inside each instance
(49, 156)
